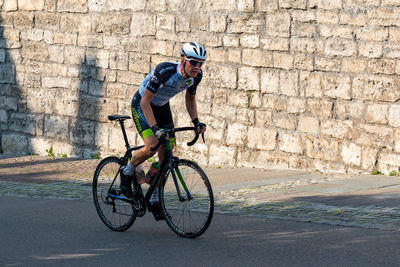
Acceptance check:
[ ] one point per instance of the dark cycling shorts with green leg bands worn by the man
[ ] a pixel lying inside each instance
(162, 114)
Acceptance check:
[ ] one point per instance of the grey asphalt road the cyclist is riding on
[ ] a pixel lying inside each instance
(40, 232)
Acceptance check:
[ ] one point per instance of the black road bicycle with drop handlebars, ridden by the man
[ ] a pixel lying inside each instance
(185, 193)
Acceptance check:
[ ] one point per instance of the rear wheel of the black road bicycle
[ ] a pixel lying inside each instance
(115, 213)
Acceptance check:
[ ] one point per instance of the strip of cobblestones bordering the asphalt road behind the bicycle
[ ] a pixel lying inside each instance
(236, 203)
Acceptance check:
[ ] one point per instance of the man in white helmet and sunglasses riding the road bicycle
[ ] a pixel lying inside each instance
(152, 114)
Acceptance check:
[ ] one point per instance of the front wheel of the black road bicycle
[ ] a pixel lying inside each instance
(189, 218)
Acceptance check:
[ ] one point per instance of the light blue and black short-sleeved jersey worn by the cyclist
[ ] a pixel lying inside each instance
(166, 81)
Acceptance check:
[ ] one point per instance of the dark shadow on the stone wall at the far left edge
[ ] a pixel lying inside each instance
(17, 123)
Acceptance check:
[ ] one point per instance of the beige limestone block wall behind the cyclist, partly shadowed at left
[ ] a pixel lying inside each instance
(311, 84)
